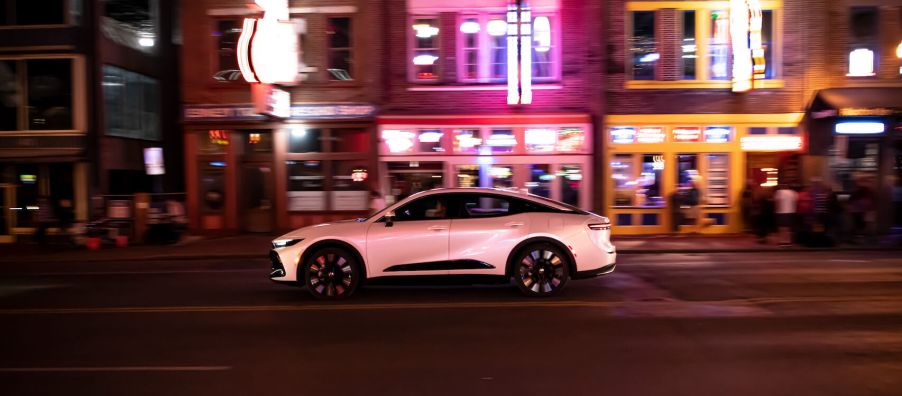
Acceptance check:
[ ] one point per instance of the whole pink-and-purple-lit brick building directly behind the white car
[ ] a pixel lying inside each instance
(457, 108)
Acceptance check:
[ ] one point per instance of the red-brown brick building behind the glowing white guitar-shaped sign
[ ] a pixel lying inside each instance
(247, 172)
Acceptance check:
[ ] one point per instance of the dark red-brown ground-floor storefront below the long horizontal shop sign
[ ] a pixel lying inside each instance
(249, 173)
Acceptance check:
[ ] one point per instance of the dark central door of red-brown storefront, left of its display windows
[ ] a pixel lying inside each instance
(257, 197)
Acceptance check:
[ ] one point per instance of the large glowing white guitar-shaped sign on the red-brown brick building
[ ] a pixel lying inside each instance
(268, 47)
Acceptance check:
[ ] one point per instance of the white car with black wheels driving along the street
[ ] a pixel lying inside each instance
(537, 242)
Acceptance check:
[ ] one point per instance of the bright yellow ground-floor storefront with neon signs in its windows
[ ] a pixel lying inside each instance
(652, 158)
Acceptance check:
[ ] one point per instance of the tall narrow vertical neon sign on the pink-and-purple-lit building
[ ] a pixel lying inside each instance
(519, 52)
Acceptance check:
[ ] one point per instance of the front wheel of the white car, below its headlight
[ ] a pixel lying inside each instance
(331, 273)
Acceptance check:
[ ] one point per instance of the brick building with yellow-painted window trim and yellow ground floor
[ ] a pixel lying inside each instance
(677, 113)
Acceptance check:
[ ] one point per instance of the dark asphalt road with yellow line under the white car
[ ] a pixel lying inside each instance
(716, 324)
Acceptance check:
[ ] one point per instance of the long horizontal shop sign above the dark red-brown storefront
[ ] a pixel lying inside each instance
(247, 112)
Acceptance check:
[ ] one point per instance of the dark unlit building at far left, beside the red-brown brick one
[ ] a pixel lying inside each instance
(86, 87)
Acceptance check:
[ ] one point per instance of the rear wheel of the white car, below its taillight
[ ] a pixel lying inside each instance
(540, 270)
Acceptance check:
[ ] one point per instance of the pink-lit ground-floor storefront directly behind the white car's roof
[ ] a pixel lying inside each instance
(548, 155)
